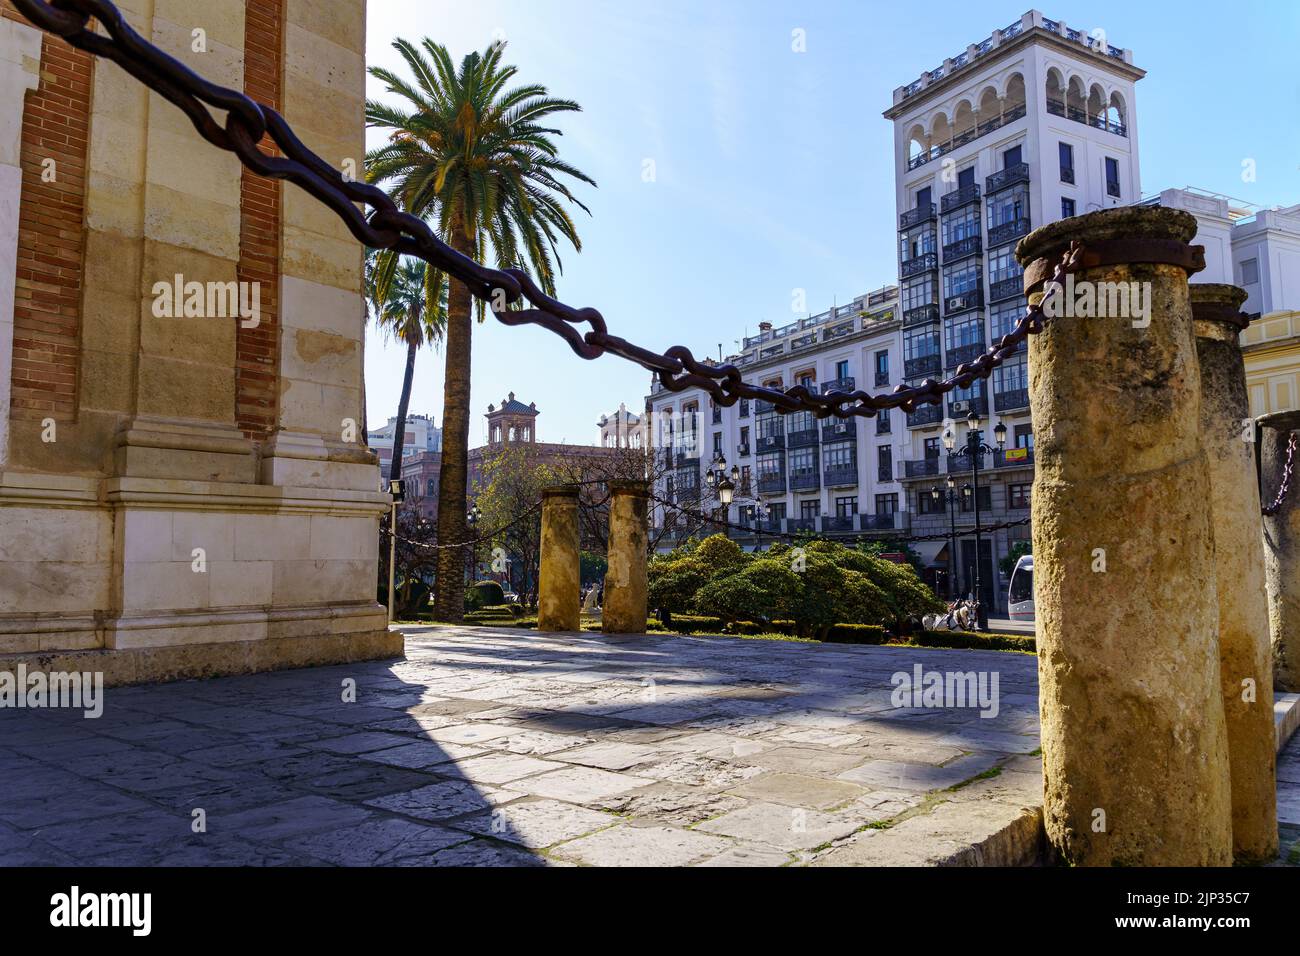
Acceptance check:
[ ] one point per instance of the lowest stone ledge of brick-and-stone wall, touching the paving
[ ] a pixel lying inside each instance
(196, 661)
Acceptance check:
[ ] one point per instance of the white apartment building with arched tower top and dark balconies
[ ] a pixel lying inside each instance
(1032, 124)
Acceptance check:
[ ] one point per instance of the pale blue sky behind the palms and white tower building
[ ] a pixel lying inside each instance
(774, 170)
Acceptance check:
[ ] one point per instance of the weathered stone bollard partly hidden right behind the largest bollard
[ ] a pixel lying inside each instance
(1246, 665)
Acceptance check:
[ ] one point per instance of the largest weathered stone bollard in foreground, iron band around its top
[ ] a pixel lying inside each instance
(1136, 767)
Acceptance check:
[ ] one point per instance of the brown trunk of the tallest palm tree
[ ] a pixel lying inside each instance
(449, 603)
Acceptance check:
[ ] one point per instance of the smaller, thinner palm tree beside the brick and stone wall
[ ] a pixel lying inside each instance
(405, 310)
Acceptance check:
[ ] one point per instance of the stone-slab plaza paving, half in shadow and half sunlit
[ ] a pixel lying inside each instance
(506, 747)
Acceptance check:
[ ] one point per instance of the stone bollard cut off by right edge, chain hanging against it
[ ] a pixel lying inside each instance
(1282, 550)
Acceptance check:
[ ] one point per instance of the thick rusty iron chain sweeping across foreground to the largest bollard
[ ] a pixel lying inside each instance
(388, 227)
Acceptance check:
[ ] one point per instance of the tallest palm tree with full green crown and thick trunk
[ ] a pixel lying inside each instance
(470, 155)
